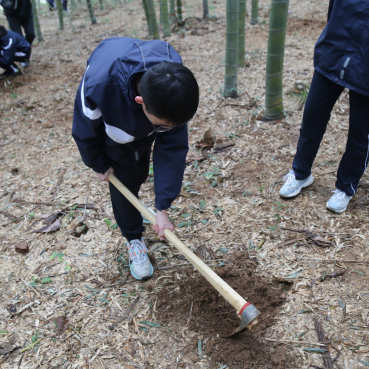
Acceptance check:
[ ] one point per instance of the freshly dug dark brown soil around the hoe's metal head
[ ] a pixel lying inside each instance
(191, 301)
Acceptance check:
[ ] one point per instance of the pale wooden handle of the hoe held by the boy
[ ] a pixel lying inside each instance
(222, 287)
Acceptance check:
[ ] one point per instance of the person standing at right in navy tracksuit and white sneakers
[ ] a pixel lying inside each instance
(341, 60)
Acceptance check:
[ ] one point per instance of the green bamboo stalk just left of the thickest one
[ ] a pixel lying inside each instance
(230, 81)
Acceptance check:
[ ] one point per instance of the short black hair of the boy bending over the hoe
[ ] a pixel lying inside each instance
(170, 91)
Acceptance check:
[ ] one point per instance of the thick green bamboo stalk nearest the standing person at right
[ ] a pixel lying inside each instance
(274, 65)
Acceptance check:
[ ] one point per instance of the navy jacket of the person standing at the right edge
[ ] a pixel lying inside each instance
(342, 50)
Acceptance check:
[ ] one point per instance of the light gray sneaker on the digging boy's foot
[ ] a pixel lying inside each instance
(139, 261)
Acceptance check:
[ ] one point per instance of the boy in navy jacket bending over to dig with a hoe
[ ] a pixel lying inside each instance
(133, 93)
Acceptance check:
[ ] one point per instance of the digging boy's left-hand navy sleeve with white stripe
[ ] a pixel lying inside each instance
(88, 131)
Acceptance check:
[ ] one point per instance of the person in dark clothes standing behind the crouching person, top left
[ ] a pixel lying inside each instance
(21, 16)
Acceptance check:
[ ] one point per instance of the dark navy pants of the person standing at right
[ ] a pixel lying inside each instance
(322, 96)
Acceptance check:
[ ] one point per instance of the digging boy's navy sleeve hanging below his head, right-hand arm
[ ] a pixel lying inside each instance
(169, 158)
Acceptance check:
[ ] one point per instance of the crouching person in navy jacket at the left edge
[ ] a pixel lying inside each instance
(13, 47)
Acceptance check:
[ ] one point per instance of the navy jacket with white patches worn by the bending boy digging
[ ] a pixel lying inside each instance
(106, 114)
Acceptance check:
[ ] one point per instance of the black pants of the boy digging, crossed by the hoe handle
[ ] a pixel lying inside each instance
(132, 169)
